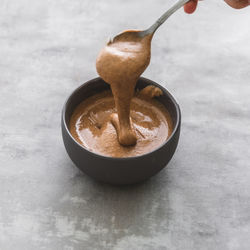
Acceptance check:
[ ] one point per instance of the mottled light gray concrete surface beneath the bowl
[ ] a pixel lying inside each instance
(201, 201)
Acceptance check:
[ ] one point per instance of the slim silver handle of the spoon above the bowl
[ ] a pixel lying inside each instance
(164, 17)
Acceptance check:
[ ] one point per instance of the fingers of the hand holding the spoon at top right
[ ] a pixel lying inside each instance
(190, 7)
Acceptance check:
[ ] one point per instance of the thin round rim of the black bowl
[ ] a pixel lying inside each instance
(165, 91)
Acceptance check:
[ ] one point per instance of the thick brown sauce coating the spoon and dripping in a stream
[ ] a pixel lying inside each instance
(120, 63)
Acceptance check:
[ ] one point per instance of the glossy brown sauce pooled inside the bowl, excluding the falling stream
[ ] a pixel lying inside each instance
(91, 124)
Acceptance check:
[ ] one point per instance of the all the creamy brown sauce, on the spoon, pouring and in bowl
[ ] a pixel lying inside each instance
(122, 124)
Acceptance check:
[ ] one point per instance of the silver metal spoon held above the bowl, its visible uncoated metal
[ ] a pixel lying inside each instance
(156, 25)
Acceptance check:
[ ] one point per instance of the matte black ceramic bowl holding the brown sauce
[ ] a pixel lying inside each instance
(119, 170)
